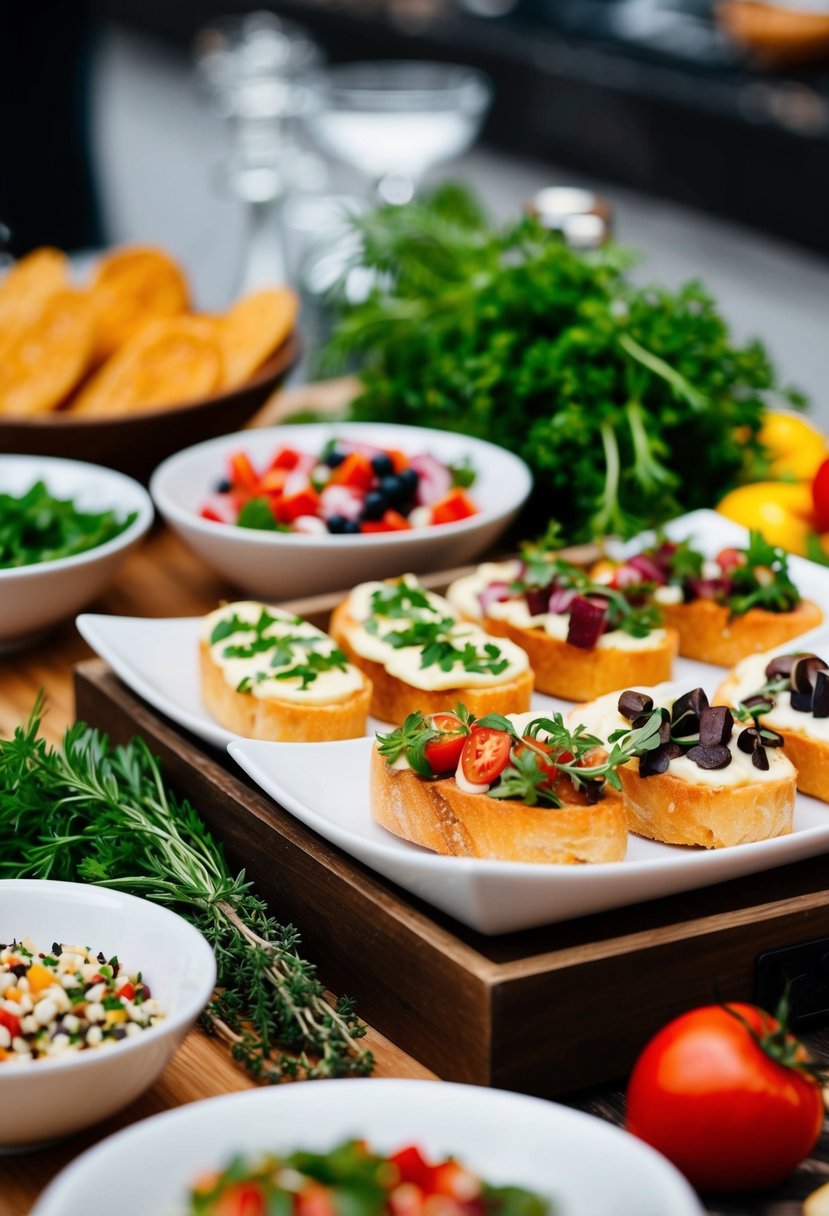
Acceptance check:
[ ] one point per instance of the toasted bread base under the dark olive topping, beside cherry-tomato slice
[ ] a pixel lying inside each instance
(675, 812)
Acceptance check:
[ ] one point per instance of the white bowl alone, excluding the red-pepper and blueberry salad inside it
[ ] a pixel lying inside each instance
(283, 566)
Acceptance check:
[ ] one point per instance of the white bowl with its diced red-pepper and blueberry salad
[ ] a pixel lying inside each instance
(298, 510)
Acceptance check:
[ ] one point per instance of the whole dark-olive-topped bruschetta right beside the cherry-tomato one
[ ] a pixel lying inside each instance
(708, 784)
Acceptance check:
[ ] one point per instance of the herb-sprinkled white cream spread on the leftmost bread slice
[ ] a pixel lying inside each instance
(272, 654)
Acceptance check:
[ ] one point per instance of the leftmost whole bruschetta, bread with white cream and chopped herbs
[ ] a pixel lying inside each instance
(270, 675)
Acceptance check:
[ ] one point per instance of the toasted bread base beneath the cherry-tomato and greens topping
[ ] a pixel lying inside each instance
(441, 817)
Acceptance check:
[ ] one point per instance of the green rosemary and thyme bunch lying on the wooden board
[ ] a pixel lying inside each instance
(88, 812)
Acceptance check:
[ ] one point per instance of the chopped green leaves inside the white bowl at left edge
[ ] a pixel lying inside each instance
(37, 527)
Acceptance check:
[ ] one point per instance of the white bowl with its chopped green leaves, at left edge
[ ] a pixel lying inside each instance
(65, 530)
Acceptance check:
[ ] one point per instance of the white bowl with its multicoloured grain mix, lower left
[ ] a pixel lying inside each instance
(98, 990)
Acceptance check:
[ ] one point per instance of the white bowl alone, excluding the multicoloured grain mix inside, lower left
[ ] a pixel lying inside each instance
(49, 1099)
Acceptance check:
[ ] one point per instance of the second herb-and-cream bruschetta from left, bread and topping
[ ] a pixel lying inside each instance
(419, 656)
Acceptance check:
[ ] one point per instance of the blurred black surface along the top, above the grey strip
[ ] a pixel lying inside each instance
(650, 95)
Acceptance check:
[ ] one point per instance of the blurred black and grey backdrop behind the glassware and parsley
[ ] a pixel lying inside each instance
(706, 123)
